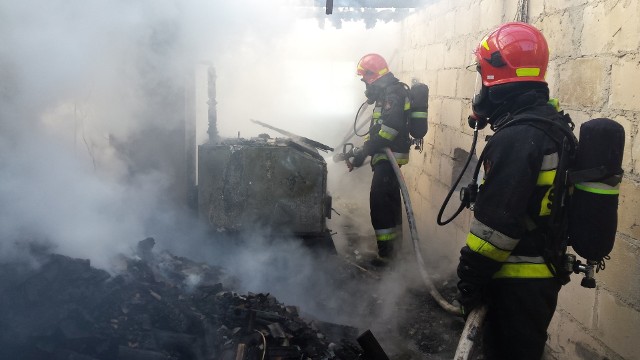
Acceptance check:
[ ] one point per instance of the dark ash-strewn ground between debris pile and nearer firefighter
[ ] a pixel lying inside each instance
(418, 328)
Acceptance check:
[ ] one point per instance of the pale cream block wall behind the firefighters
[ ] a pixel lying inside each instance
(594, 72)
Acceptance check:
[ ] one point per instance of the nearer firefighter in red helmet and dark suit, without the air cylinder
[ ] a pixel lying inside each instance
(511, 260)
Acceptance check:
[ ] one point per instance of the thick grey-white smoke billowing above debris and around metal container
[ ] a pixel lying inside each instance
(92, 109)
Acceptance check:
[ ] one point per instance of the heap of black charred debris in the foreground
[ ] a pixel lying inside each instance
(154, 307)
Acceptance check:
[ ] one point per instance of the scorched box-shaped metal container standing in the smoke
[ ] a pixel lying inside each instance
(276, 185)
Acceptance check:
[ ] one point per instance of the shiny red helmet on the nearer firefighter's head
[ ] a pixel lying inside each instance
(513, 52)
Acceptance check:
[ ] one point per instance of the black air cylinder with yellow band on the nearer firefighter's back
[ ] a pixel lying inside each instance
(596, 177)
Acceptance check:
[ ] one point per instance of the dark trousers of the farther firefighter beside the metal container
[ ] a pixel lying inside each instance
(385, 206)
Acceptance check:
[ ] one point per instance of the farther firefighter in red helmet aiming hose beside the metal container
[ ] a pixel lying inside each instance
(388, 128)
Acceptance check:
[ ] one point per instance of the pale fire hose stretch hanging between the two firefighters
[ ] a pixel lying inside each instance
(414, 236)
